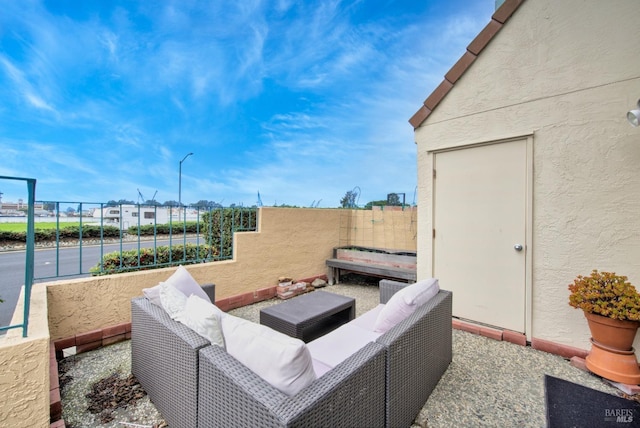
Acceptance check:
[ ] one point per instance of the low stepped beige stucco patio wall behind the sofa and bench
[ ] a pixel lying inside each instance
(289, 242)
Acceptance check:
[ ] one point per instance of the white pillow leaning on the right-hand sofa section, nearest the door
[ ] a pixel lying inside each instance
(404, 303)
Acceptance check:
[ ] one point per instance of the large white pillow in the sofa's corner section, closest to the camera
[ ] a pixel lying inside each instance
(283, 361)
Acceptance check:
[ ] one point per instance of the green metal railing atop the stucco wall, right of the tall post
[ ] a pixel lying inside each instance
(124, 238)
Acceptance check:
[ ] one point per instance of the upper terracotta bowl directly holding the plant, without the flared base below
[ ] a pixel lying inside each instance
(612, 333)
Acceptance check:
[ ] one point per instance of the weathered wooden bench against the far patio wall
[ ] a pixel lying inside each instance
(374, 262)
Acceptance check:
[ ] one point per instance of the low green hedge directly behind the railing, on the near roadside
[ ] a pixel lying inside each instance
(164, 256)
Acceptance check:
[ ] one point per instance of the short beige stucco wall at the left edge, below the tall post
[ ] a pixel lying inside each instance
(24, 377)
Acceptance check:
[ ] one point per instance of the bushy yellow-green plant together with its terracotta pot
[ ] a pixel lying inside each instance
(612, 308)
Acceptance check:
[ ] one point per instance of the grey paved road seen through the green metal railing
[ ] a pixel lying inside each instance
(70, 265)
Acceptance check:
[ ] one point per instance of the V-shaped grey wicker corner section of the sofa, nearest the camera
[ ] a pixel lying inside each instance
(351, 394)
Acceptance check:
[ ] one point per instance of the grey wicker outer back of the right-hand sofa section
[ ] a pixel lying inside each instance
(419, 350)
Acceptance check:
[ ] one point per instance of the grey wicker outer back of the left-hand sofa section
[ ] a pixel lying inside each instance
(164, 359)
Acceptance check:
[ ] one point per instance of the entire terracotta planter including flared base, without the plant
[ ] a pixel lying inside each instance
(612, 355)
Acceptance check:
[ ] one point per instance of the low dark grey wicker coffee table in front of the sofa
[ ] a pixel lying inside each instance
(309, 316)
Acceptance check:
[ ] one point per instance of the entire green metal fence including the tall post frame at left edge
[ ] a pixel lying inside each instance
(85, 238)
